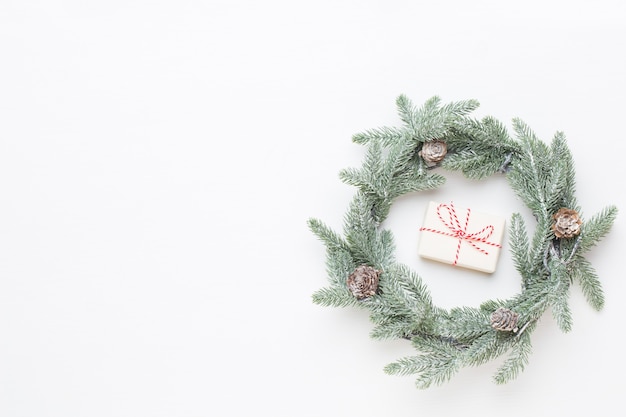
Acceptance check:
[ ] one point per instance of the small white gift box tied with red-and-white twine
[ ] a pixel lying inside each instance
(461, 237)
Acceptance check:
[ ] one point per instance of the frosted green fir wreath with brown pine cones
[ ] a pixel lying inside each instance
(363, 272)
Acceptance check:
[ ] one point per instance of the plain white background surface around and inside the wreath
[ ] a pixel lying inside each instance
(158, 163)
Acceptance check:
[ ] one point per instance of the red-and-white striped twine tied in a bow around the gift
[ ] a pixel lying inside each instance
(460, 232)
